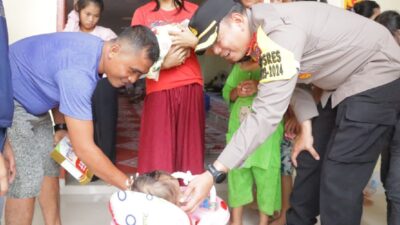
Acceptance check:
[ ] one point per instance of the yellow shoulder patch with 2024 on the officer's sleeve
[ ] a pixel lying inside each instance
(276, 62)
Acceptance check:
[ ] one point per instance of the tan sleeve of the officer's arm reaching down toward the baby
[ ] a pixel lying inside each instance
(267, 111)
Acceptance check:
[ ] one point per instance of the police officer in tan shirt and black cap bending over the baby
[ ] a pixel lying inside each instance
(355, 61)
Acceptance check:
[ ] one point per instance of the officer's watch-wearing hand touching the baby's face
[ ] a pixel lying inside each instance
(197, 190)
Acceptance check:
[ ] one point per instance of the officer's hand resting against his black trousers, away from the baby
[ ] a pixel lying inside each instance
(303, 142)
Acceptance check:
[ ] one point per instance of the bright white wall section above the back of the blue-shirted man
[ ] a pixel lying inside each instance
(29, 17)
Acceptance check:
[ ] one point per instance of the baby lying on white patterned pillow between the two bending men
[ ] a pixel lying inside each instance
(155, 199)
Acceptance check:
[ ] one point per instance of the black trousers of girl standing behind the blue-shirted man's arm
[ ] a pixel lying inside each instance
(105, 116)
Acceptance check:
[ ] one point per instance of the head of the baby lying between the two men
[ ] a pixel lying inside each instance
(160, 184)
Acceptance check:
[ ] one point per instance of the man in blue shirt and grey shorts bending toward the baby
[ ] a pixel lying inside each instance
(59, 71)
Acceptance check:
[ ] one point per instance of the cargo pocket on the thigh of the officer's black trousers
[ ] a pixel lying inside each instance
(363, 130)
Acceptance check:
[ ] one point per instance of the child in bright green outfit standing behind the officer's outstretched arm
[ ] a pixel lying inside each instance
(262, 168)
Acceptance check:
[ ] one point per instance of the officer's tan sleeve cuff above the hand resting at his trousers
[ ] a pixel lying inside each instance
(303, 104)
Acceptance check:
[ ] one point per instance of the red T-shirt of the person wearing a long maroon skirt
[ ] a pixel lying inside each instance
(187, 73)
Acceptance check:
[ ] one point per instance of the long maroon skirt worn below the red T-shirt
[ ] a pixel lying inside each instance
(172, 131)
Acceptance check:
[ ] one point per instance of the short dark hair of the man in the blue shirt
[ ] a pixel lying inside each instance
(140, 37)
